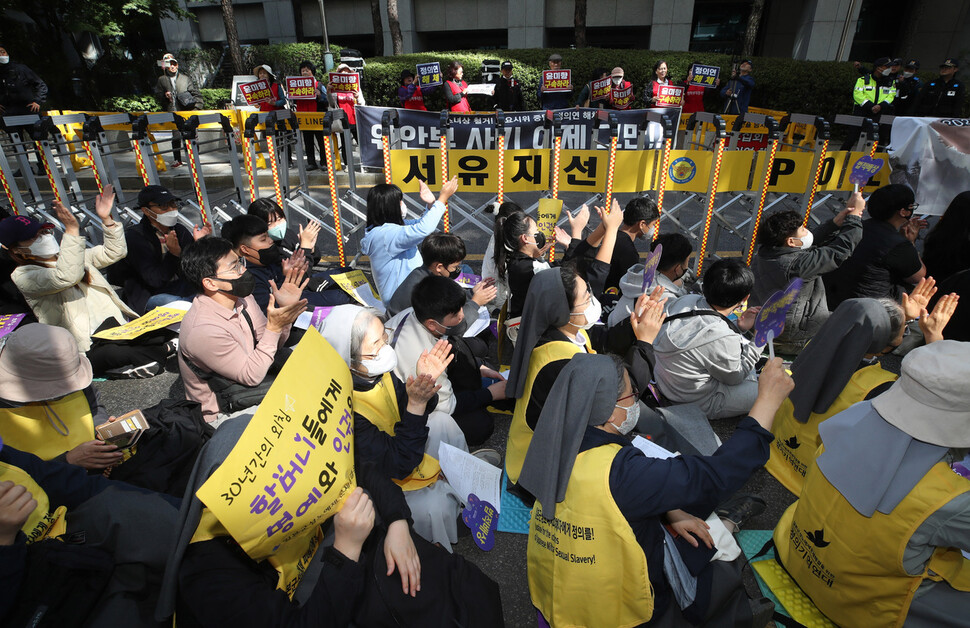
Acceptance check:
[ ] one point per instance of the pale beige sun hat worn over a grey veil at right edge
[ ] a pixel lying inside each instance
(931, 400)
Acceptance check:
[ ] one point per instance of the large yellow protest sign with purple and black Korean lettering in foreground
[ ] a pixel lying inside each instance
(293, 466)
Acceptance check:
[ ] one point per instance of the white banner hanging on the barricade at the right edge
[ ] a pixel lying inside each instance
(932, 156)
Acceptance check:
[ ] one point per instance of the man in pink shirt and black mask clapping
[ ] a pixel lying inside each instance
(227, 346)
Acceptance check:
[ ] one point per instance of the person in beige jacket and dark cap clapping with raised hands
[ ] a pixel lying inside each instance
(64, 287)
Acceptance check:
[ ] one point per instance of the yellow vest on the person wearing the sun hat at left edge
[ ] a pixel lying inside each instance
(49, 428)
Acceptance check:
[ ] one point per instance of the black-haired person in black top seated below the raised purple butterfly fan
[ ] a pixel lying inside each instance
(885, 263)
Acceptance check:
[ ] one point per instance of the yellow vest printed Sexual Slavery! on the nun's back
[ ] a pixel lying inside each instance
(585, 566)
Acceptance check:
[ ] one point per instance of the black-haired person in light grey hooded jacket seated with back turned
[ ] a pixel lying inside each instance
(702, 355)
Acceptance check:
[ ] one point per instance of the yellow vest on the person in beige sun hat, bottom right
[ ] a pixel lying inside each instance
(851, 566)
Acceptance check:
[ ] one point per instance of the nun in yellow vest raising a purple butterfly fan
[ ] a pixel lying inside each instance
(582, 469)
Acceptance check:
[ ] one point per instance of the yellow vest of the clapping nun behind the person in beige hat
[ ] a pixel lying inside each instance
(796, 443)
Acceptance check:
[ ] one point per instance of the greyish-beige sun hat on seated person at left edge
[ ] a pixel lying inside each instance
(40, 362)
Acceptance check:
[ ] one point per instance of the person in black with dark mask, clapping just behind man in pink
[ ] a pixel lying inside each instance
(272, 272)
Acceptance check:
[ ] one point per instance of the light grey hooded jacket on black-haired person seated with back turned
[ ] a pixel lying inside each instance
(698, 354)
